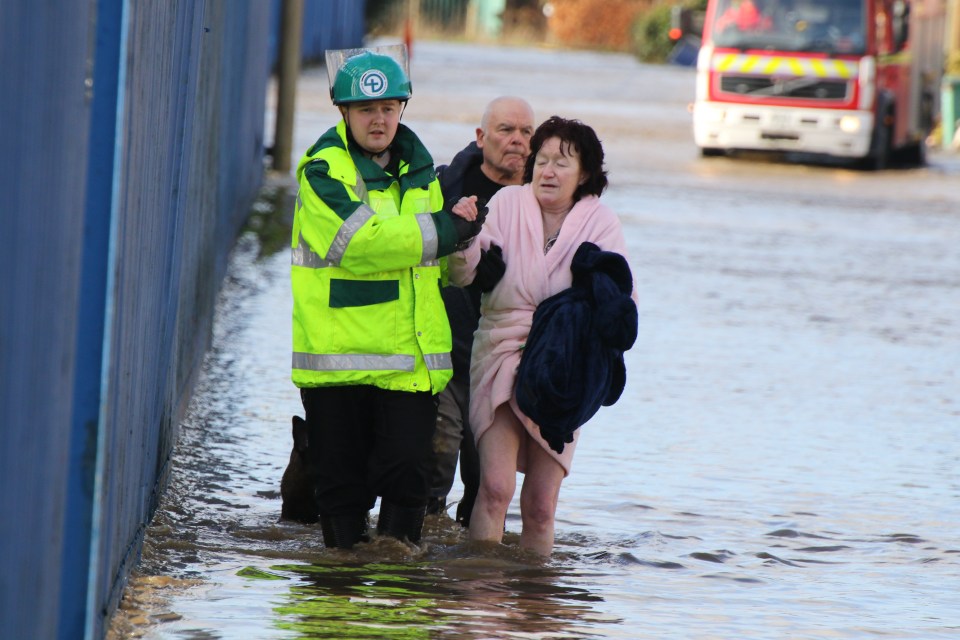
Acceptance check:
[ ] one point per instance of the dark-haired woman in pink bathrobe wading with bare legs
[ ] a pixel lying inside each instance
(539, 227)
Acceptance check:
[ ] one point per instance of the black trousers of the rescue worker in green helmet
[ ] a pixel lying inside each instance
(372, 442)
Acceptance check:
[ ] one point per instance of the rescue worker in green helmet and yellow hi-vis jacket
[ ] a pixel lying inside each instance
(371, 340)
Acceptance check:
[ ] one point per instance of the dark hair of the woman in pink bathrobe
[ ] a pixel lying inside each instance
(583, 139)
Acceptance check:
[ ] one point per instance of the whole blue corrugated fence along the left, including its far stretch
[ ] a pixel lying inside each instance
(131, 148)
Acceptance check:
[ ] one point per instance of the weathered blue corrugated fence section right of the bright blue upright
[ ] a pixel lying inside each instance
(191, 162)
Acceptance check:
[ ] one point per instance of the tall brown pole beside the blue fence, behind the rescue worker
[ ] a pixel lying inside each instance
(291, 36)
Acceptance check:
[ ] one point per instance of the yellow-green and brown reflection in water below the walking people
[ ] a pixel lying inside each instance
(446, 593)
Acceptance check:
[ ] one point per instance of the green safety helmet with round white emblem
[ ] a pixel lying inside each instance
(370, 76)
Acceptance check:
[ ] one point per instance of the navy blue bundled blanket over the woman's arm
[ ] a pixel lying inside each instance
(572, 362)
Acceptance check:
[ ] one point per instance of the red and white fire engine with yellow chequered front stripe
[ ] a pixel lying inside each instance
(854, 79)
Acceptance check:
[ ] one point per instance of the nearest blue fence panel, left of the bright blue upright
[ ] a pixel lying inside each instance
(44, 112)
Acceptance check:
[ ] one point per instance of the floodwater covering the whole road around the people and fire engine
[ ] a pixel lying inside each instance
(784, 462)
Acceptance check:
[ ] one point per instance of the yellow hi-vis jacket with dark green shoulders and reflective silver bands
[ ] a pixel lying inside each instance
(366, 270)
